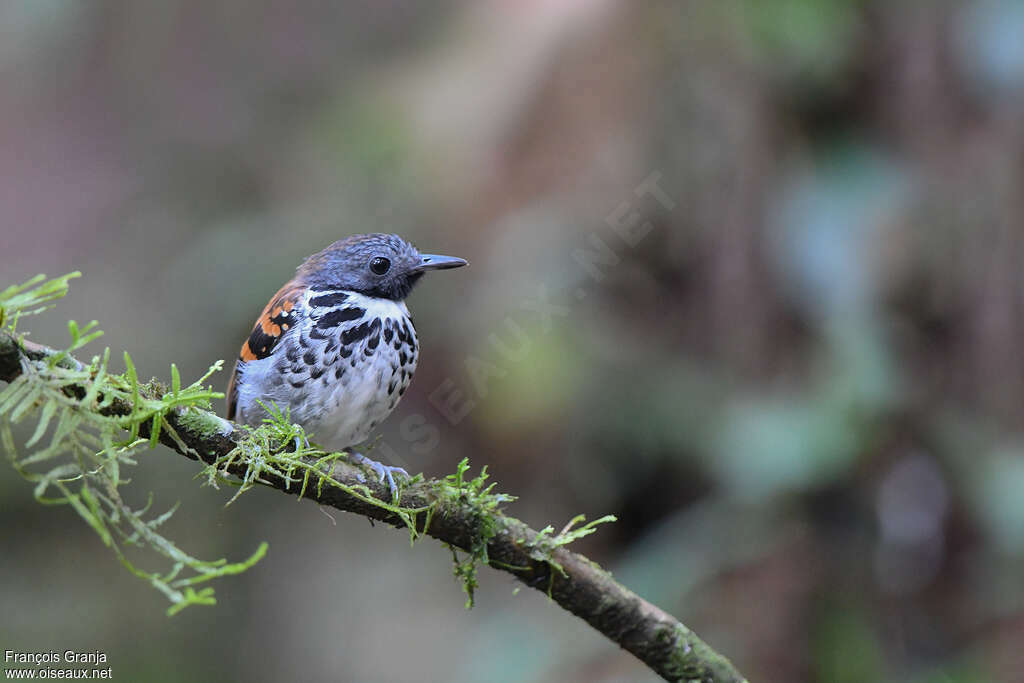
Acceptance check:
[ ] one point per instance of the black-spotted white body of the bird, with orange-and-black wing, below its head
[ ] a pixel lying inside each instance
(340, 365)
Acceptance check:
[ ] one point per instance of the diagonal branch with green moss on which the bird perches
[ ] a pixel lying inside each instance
(462, 513)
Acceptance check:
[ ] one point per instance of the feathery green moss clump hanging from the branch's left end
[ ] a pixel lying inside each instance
(79, 449)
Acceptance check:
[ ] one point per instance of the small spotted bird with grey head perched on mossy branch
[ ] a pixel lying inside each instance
(335, 349)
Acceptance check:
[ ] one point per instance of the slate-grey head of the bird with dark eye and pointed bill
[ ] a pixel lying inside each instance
(376, 265)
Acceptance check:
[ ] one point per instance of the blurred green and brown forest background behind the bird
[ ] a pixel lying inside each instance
(801, 388)
